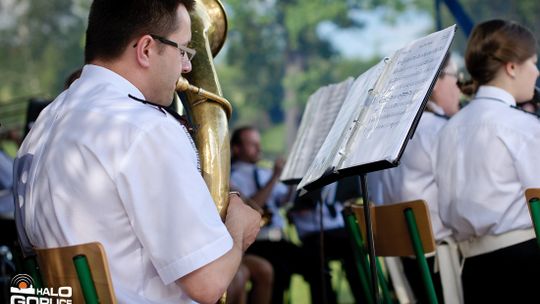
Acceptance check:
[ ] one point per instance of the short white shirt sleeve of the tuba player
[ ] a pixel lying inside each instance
(168, 203)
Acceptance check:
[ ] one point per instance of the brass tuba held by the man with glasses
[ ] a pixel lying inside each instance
(207, 110)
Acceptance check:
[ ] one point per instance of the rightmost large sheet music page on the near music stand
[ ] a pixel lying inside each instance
(397, 99)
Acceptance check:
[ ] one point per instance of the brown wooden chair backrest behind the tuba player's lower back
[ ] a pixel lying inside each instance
(57, 268)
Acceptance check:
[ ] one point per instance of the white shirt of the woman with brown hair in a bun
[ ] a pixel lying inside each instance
(488, 154)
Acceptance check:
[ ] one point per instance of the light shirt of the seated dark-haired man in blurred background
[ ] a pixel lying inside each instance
(243, 180)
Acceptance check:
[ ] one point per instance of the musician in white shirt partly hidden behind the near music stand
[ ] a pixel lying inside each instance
(414, 178)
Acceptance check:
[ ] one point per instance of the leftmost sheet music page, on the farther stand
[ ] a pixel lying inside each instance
(321, 110)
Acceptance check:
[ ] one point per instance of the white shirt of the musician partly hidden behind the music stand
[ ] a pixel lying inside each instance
(414, 178)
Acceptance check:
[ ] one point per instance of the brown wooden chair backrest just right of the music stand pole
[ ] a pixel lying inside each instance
(390, 231)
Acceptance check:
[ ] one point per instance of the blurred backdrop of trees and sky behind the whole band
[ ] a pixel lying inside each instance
(277, 52)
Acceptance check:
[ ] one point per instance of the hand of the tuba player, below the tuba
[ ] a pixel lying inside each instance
(242, 221)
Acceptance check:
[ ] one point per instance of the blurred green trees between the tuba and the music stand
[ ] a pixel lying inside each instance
(278, 57)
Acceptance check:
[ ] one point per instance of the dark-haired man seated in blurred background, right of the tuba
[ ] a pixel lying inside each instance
(262, 187)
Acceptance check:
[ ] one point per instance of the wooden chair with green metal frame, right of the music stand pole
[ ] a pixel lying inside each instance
(402, 229)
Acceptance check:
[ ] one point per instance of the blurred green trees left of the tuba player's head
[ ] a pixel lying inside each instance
(42, 43)
